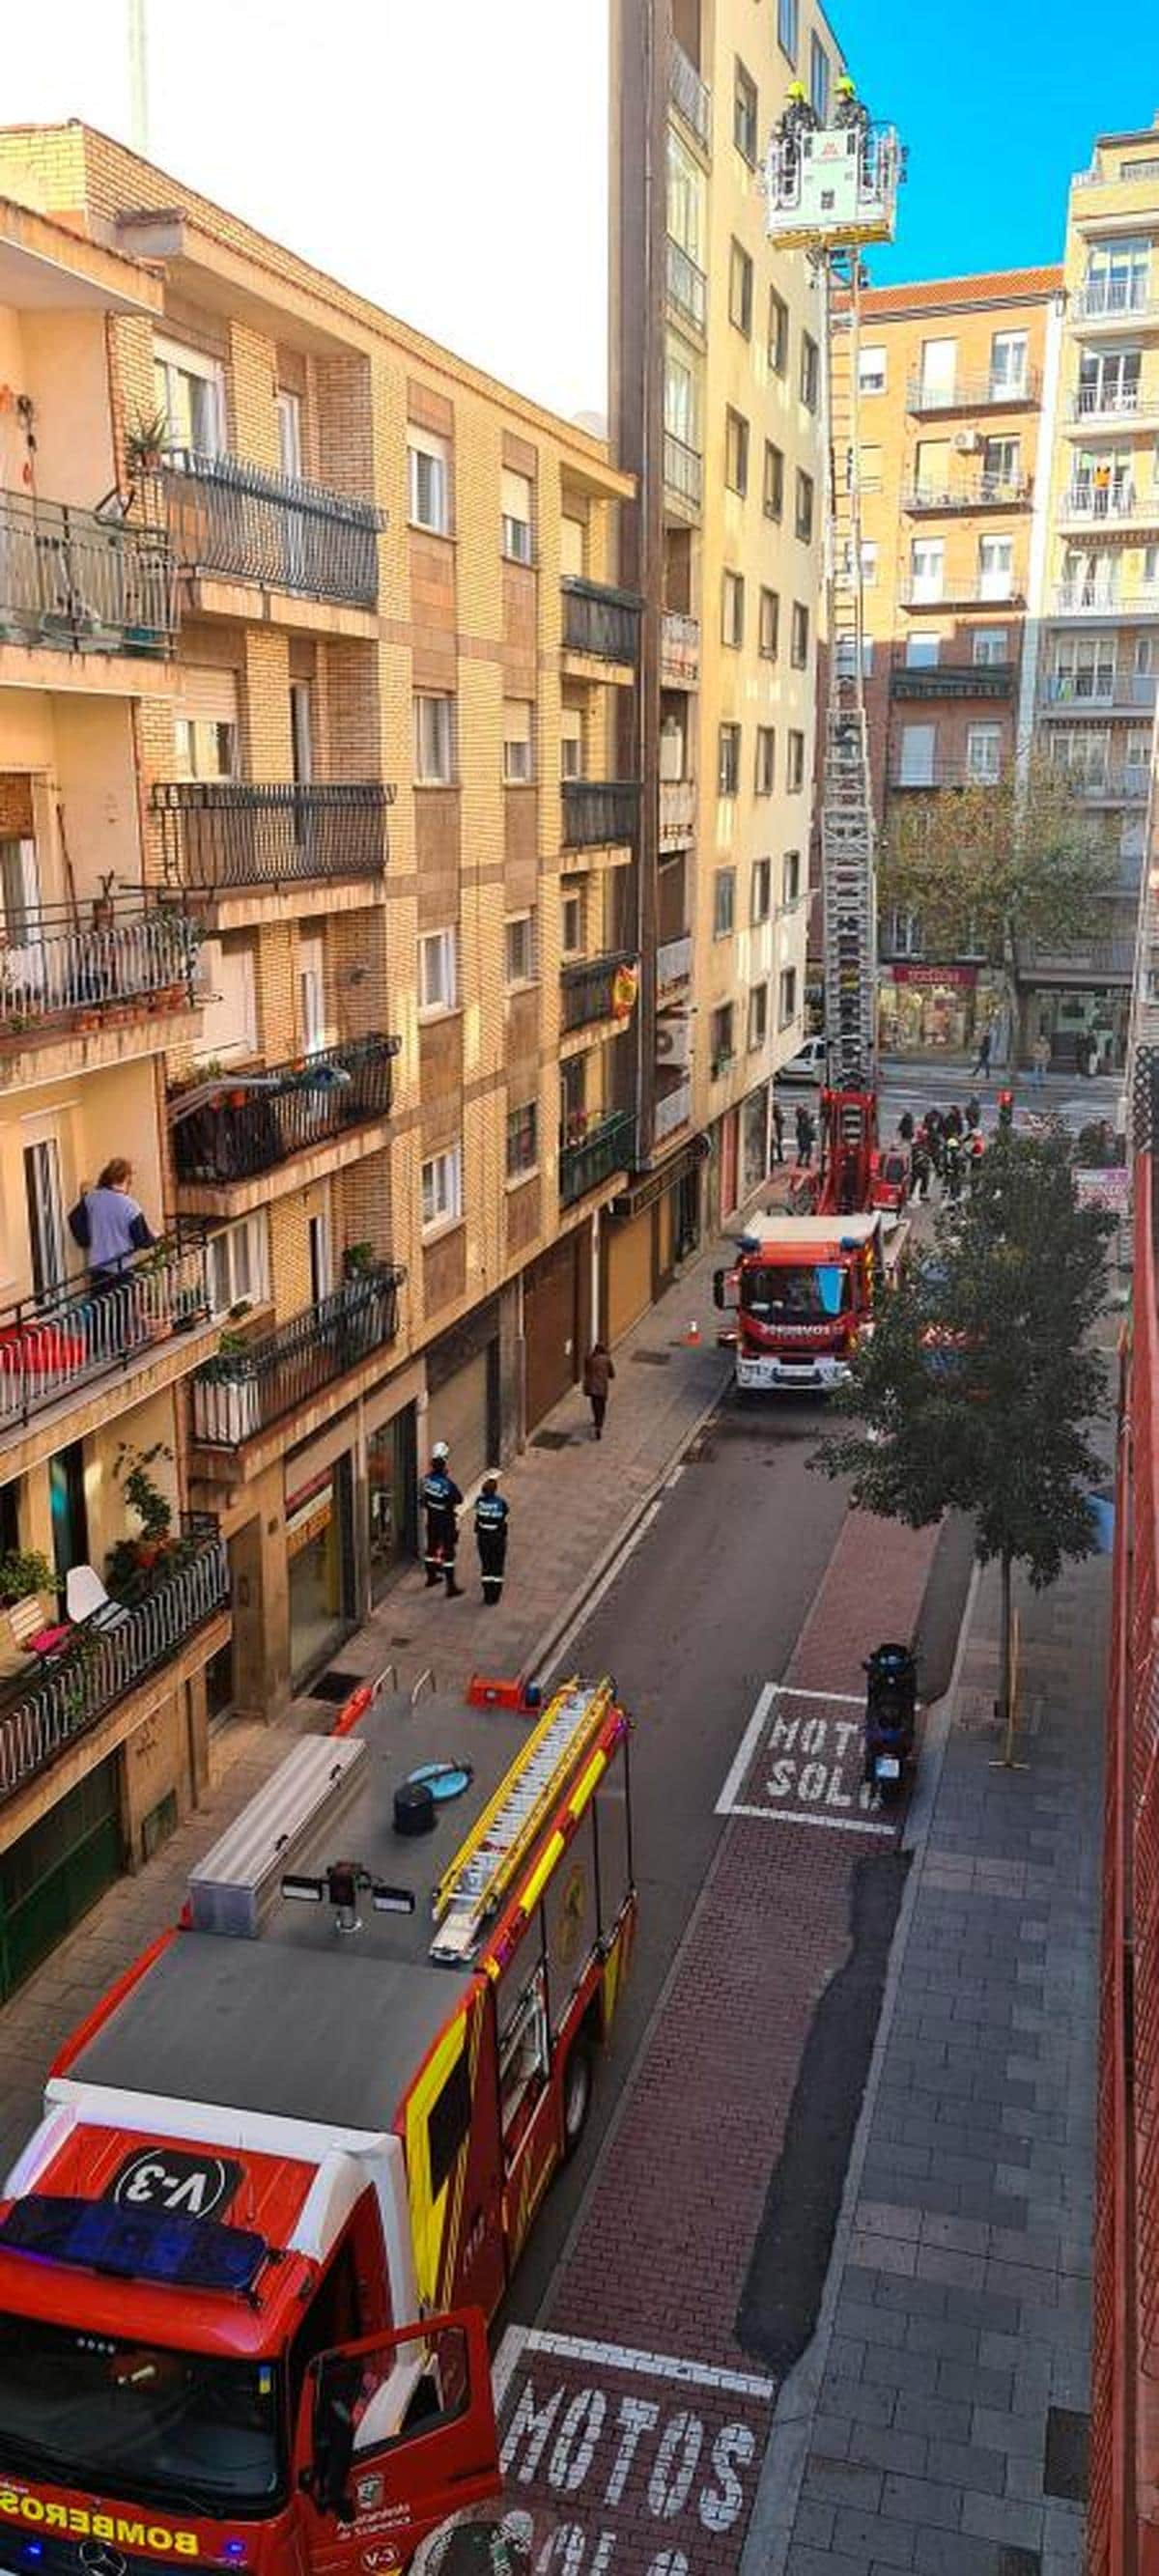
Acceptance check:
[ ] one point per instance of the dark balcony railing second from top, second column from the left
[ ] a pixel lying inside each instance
(223, 833)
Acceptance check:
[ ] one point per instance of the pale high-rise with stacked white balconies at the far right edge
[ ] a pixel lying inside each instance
(1098, 632)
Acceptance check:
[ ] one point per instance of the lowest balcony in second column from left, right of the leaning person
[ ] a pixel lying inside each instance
(246, 1392)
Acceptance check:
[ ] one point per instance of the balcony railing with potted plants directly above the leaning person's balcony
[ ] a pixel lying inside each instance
(61, 970)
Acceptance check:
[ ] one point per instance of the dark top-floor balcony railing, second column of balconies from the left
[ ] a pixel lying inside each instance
(272, 529)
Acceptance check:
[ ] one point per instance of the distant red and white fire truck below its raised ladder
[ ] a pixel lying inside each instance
(805, 1292)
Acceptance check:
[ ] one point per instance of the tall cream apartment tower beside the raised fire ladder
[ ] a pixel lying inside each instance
(717, 408)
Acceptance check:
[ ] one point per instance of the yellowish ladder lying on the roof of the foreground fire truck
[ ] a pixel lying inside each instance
(498, 1843)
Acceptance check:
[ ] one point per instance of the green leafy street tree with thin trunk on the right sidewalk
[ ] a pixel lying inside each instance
(980, 1379)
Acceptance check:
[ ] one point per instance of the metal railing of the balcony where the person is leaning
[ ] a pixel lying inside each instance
(71, 1338)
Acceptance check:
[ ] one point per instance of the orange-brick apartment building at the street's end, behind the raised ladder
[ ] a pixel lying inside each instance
(954, 465)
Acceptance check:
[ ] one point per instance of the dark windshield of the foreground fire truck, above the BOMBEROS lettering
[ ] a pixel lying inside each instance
(138, 2420)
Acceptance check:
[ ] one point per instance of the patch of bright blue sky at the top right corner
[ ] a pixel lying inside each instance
(998, 109)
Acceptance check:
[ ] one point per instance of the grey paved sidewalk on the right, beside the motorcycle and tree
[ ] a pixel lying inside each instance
(939, 2418)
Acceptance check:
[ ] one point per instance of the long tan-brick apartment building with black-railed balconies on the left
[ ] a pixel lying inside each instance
(318, 833)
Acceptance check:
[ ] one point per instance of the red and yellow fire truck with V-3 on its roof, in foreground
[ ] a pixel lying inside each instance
(290, 2163)
